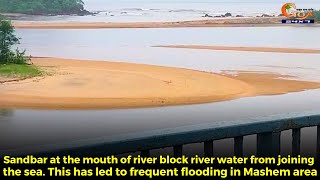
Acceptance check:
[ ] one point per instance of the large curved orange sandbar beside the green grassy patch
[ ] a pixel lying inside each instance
(76, 84)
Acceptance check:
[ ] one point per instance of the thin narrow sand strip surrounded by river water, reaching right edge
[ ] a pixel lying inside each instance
(254, 49)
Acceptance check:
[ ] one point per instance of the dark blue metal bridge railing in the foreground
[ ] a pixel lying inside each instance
(268, 130)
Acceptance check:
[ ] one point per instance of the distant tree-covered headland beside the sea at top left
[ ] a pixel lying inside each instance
(43, 7)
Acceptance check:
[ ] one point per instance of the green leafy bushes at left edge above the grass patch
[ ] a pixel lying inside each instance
(7, 40)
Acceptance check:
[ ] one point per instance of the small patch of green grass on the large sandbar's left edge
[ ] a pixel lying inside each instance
(19, 71)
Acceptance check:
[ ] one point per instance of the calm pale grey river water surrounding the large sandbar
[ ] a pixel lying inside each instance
(23, 128)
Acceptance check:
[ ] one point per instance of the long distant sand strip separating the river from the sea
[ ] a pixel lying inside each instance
(214, 22)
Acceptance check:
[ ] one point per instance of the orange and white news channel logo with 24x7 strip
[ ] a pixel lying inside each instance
(297, 16)
